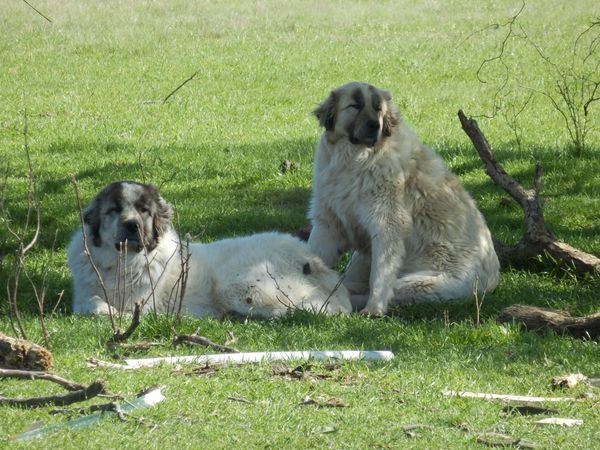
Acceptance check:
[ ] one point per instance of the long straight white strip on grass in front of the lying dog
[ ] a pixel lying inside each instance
(242, 358)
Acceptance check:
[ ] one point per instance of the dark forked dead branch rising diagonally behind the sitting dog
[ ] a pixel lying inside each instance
(537, 240)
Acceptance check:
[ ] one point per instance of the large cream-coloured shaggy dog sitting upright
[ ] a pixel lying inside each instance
(416, 232)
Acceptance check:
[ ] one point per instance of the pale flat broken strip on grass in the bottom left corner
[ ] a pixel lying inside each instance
(149, 398)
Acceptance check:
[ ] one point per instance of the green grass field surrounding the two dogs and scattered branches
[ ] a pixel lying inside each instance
(91, 85)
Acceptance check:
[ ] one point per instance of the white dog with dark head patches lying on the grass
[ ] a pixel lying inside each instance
(140, 258)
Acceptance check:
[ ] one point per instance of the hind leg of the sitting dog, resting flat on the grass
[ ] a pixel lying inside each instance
(426, 286)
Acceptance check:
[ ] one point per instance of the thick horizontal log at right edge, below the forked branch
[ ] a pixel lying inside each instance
(535, 318)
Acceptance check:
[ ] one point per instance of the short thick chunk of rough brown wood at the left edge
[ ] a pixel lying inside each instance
(22, 354)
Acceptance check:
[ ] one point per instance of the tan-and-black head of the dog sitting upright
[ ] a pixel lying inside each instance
(359, 112)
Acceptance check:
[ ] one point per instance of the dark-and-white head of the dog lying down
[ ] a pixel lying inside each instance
(128, 215)
